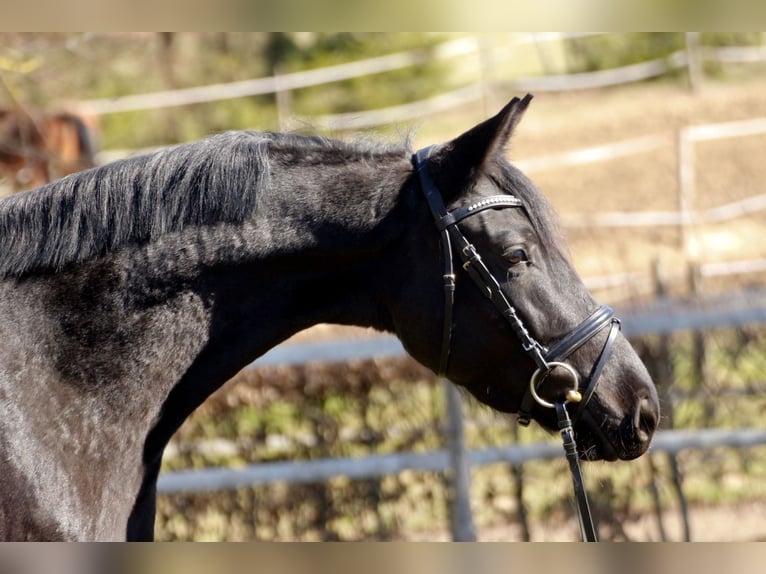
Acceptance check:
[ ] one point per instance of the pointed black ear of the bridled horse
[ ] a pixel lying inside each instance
(457, 162)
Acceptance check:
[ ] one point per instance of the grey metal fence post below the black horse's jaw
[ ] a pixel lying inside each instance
(459, 477)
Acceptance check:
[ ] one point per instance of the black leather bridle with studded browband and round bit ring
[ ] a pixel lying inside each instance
(546, 360)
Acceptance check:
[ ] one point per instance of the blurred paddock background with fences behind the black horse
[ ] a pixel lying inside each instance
(650, 146)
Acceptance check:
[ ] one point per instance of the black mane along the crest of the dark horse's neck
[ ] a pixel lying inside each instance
(139, 199)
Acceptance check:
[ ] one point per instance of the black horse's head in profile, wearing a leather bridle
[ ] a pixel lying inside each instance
(523, 332)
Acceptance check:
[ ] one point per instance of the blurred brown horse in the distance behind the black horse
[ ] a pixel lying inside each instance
(37, 147)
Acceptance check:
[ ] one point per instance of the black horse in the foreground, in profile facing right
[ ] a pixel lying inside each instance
(131, 291)
